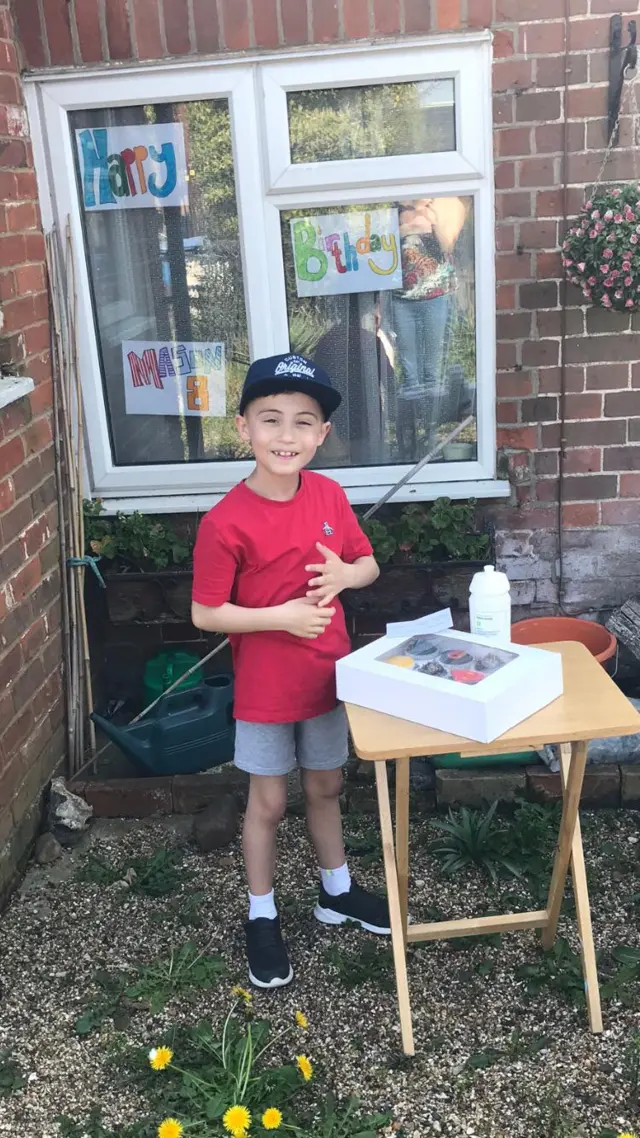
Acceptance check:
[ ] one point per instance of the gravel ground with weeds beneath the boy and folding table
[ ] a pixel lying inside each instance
(59, 930)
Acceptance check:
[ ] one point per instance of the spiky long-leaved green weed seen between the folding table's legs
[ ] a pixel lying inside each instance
(473, 838)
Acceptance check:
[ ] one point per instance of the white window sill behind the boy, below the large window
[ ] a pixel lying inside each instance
(358, 496)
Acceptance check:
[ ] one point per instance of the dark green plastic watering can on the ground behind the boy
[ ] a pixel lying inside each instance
(187, 732)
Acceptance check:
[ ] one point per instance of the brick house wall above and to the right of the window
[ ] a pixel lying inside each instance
(602, 488)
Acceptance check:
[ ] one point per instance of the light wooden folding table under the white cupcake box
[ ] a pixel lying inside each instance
(592, 707)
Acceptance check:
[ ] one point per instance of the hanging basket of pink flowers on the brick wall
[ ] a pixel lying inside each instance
(602, 251)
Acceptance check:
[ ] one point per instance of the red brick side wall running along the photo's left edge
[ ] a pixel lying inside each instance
(31, 703)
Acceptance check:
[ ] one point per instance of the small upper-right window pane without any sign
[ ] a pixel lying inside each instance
(372, 122)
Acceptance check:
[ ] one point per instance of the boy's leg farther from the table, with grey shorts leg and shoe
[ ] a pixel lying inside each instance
(267, 753)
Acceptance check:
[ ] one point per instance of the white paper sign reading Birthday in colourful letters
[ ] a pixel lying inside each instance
(347, 253)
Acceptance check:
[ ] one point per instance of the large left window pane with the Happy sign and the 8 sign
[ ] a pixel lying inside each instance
(158, 192)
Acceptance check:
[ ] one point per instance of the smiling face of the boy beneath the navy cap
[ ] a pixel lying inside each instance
(284, 432)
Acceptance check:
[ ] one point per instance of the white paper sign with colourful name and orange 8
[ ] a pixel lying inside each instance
(175, 378)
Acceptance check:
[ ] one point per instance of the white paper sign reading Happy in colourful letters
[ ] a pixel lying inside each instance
(133, 168)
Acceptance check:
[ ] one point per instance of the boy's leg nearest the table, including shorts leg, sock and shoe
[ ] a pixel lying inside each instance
(323, 748)
